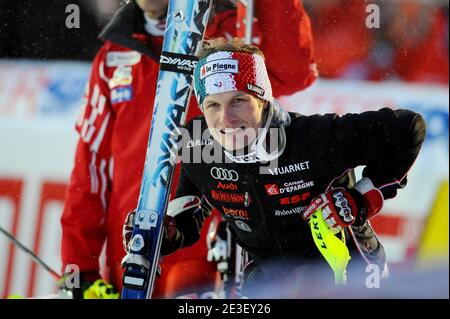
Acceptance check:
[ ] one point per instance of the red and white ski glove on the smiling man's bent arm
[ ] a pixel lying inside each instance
(344, 207)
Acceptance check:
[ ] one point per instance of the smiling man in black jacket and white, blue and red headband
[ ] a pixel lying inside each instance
(267, 171)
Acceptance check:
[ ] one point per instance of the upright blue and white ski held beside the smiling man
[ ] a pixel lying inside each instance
(185, 29)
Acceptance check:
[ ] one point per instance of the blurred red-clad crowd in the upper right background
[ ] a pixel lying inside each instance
(410, 44)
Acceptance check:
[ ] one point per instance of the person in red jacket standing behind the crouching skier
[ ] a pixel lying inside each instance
(114, 125)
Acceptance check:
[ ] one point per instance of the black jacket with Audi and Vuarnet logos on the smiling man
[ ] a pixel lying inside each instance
(264, 210)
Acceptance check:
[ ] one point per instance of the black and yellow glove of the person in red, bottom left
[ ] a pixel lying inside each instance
(91, 287)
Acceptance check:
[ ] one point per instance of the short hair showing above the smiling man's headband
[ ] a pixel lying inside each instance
(231, 45)
